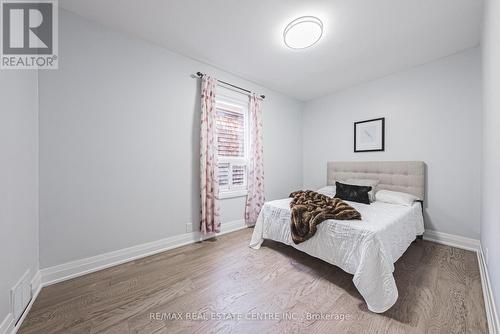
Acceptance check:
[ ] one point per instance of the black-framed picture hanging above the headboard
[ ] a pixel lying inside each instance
(369, 136)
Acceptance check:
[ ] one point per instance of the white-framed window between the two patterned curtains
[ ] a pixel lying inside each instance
(232, 151)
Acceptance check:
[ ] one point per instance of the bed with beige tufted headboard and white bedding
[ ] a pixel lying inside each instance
(368, 248)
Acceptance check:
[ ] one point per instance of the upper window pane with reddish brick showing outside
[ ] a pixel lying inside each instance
(230, 133)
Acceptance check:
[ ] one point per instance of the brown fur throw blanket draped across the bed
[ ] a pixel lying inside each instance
(310, 209)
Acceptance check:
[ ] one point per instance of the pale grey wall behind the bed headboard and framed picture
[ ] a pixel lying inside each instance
(433, 113)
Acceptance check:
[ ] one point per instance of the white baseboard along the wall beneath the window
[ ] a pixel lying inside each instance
(88, 265)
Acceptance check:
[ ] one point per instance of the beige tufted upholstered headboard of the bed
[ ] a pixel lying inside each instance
(405, 176)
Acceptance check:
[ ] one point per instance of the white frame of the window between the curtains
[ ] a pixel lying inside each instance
(237, 106)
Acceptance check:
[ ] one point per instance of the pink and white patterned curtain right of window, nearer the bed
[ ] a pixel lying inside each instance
(255, 198)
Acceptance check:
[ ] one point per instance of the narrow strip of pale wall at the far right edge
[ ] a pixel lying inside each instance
(490, 221)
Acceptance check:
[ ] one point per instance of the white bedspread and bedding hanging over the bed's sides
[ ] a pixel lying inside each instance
(367, 248)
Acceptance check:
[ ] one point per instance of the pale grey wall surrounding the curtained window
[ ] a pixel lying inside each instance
(119, 144)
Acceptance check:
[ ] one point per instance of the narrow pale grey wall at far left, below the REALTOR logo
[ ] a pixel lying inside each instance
(18, 180)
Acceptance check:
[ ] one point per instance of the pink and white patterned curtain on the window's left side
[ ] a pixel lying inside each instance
(210, 218)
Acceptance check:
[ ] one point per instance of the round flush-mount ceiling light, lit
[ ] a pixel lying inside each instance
(303, 32)
